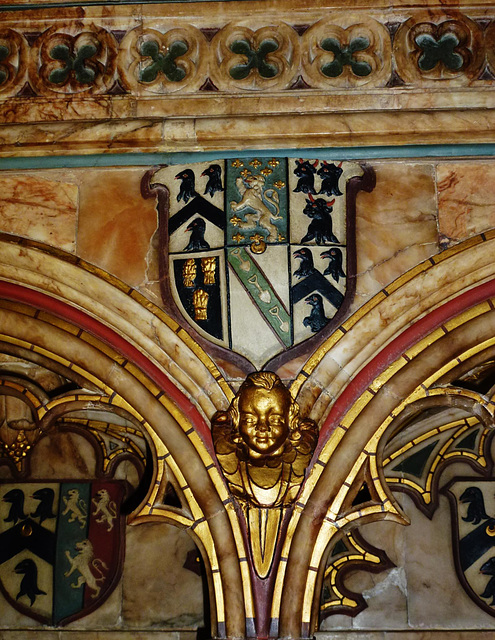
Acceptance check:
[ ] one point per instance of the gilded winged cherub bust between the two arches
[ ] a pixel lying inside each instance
(262, 444)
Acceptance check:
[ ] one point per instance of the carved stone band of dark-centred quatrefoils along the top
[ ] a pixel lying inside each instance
(343, 51)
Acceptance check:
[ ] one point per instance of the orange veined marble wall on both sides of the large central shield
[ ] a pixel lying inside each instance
(416, 209)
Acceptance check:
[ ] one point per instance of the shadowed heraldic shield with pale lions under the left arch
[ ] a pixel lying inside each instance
(61, 546)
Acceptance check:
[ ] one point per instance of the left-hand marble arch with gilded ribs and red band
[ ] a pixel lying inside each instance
(73, 318)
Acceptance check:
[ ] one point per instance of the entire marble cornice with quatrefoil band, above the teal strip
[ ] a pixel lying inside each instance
(193, 76)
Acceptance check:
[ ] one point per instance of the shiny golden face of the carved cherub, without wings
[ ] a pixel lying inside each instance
(264, 419)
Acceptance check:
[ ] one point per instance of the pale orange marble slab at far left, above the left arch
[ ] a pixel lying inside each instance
(43, 210)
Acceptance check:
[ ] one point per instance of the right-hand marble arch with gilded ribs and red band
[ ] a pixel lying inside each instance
(392, 352)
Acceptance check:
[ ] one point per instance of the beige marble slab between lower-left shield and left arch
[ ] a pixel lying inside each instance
(158, 591)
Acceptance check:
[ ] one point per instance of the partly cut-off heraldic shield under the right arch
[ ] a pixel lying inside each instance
(472, 502)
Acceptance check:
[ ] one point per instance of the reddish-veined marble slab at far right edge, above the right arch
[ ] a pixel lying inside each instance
(466, 199)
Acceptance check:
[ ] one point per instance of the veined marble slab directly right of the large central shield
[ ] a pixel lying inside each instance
(396, 225)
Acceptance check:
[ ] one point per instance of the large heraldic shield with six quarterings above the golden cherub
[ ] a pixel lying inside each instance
(255, 252)
